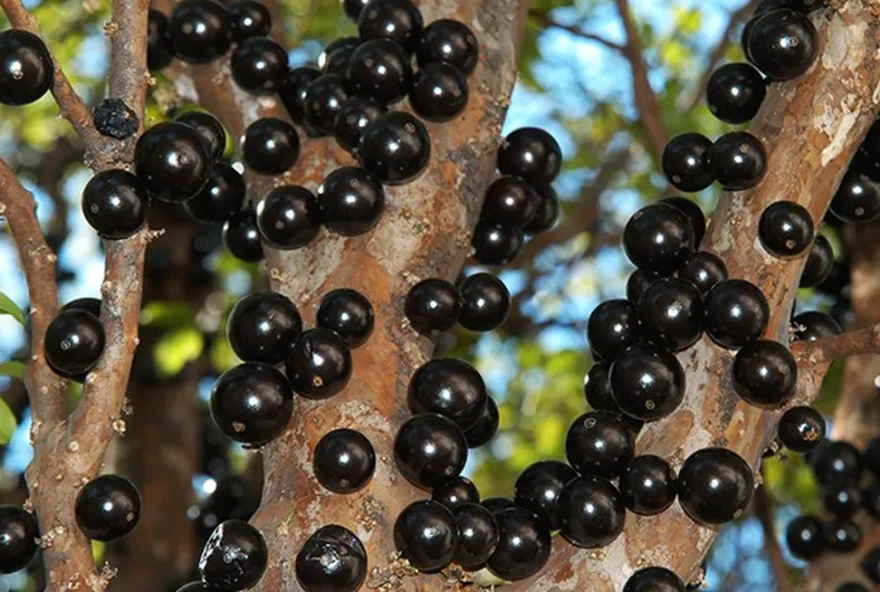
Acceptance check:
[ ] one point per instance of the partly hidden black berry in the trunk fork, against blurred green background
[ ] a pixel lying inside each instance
(538, 487)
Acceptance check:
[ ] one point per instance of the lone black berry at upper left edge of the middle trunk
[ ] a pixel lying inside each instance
(270, 146)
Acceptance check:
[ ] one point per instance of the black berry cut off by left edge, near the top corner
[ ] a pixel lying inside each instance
(26, 68)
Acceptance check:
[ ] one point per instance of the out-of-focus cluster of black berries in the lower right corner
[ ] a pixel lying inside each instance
(851, 482)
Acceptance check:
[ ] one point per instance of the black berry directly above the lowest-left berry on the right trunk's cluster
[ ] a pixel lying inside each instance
(598, 443)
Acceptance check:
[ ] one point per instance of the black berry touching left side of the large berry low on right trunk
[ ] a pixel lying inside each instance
(648, 485)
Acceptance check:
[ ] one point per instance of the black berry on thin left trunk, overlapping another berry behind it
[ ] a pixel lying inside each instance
(74, 343)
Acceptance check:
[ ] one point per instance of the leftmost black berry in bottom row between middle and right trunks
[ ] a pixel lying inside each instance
(426, 535)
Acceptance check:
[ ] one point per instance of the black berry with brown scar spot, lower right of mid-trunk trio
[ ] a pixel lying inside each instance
(318, 364)
